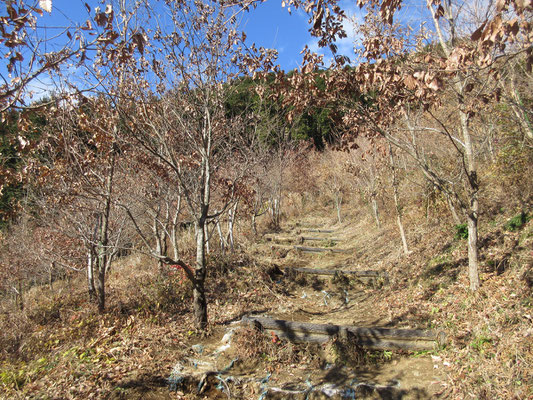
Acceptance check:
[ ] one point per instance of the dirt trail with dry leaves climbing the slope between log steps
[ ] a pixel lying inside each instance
(318, 299)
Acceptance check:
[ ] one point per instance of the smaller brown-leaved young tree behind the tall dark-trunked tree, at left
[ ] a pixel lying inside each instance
(73, 172)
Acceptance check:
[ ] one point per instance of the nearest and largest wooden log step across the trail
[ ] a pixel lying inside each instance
(371, 338)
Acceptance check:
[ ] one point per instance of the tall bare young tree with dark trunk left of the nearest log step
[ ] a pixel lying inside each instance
(174, 112)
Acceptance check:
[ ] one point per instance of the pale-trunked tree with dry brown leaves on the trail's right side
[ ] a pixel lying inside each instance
(398, 75)
